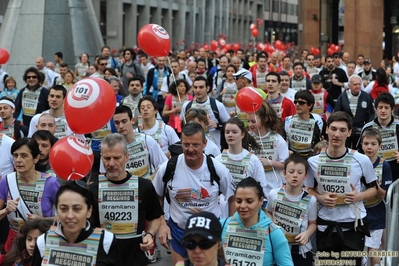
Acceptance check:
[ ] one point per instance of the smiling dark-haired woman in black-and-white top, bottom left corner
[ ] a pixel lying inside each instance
(74, 236)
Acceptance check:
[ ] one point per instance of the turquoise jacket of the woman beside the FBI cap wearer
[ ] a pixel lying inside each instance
(277, 250)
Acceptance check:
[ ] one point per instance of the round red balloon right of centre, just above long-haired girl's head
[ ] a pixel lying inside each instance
(249, 100)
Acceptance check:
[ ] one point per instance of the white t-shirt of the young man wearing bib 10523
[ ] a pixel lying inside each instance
(360, 166)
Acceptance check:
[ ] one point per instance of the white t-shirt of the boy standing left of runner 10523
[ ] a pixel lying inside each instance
(310, 214)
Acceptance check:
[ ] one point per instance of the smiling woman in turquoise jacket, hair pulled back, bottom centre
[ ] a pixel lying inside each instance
(250, 223)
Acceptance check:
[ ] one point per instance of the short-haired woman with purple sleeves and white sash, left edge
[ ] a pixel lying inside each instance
(28, 194)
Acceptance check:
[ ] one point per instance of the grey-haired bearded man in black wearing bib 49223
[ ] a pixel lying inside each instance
(125, 202)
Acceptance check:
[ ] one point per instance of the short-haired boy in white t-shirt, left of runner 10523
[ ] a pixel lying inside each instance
(300, 225)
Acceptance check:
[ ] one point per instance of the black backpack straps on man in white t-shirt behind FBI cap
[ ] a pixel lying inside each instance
(170, 172)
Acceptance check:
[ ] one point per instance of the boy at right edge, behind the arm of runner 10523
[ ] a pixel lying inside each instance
(371, 144)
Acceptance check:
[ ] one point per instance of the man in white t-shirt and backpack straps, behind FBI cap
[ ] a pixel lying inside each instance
(192, 188)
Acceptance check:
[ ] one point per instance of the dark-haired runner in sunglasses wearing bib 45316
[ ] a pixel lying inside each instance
(304, 129)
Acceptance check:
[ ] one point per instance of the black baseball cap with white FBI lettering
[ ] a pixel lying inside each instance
(204, 224)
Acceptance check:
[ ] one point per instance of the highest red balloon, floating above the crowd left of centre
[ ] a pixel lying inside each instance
(154, 40)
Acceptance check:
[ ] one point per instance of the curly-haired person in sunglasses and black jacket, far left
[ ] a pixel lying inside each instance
(32, 99)
